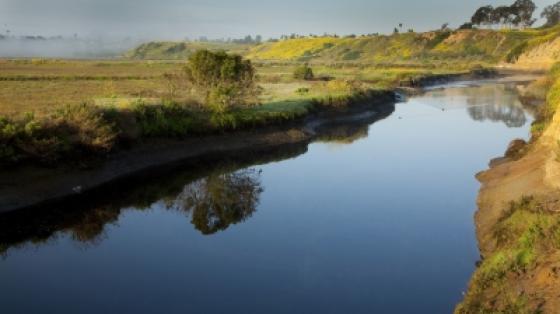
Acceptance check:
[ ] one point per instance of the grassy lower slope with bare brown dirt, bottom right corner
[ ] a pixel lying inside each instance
(522, 273)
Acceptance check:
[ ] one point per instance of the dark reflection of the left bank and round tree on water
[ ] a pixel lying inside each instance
(213, 193)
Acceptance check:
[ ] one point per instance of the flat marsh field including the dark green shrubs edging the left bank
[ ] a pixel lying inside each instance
(54, 110)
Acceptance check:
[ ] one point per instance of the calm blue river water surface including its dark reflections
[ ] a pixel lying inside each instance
(370, 219)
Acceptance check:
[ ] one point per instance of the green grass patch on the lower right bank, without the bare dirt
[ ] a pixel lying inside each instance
(524, 236)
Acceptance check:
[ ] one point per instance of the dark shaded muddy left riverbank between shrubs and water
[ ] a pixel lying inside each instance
(33, 186)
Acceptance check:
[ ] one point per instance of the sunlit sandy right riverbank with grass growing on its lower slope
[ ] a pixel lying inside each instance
(517, 225)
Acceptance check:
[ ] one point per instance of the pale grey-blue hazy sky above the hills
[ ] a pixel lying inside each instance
(179, 19)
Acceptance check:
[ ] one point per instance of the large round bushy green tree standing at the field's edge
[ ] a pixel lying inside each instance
(225, 81)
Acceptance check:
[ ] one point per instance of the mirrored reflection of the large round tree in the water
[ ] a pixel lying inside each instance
(218, 201)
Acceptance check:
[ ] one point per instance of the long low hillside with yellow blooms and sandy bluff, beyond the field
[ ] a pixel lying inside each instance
(472, 46)
